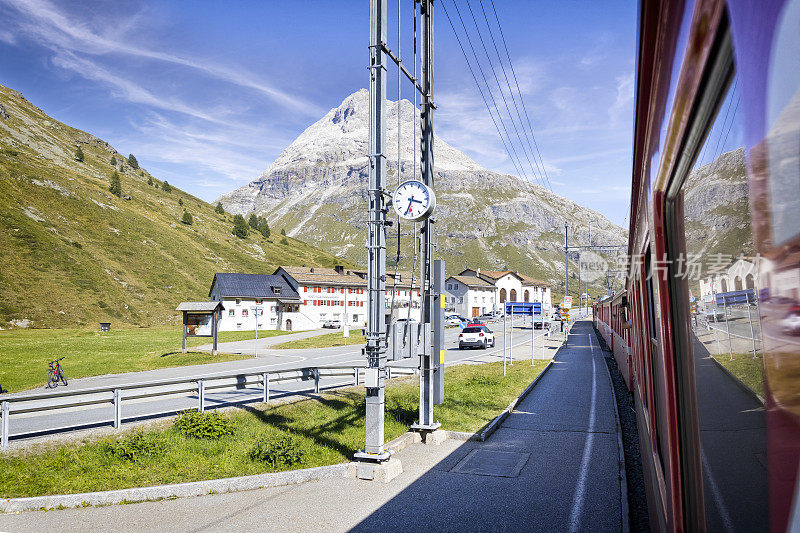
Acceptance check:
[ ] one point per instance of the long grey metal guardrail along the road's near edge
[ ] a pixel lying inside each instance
(69, 399)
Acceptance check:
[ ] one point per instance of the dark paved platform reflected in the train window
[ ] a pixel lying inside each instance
(733, 441)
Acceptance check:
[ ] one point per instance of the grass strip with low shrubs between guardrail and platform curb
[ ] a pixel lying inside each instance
(311, 432)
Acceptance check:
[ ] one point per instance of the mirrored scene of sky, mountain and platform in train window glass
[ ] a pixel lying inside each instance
(720, 269)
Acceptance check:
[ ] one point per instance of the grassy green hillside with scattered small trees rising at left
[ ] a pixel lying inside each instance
(73, 254)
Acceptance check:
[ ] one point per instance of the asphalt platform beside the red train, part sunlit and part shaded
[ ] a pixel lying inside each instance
(553, 465)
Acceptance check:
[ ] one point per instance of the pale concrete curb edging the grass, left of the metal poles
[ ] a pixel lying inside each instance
(168, 492)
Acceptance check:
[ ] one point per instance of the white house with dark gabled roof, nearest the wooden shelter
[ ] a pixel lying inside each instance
(247, 299)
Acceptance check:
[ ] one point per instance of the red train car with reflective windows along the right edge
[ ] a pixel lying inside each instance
(716, 185)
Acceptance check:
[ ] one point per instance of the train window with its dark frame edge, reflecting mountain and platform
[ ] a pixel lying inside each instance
(715, 320)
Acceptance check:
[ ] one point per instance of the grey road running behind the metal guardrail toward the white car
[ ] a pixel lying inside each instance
(43, 424)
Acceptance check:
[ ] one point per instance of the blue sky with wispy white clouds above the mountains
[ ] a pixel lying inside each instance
(206, 94)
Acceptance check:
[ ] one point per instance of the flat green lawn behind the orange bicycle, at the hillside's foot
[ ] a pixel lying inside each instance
(24, 353)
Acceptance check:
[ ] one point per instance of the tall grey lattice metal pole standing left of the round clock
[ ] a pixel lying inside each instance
(376, 247)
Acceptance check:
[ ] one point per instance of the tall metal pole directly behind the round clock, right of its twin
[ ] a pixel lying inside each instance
(428, 232)
